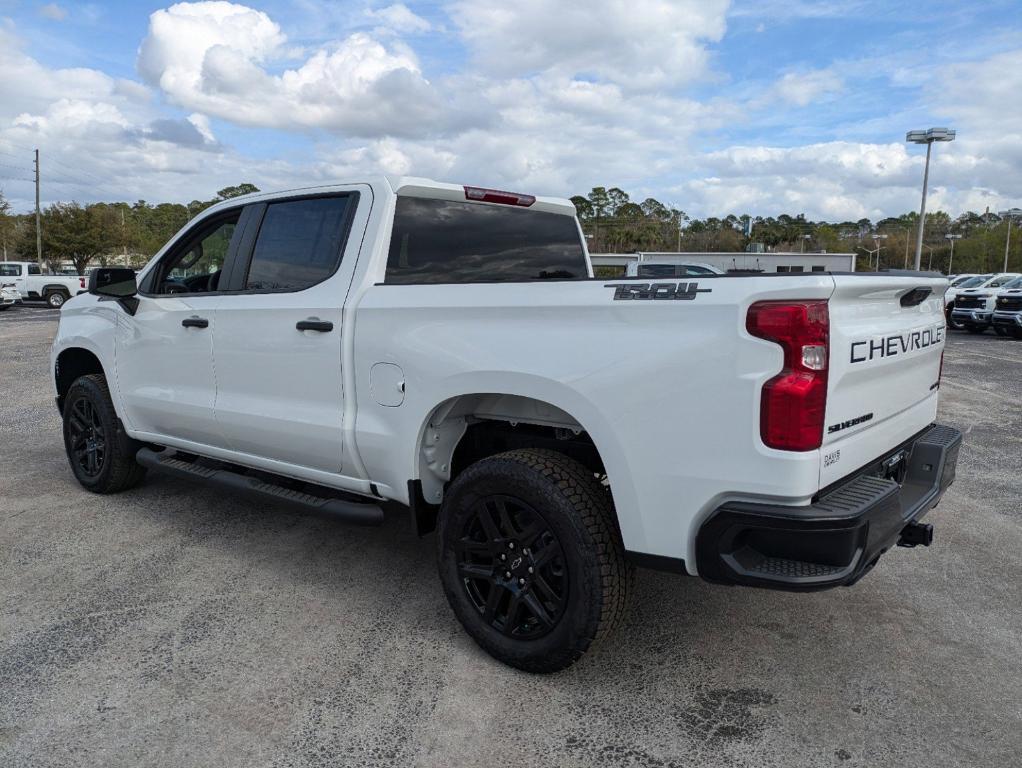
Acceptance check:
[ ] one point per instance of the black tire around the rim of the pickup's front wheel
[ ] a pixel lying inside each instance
(119, 470)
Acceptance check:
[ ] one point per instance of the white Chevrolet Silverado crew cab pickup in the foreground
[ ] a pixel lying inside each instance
(447, 348)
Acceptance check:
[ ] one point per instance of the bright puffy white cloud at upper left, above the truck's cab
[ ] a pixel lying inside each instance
(212, 58)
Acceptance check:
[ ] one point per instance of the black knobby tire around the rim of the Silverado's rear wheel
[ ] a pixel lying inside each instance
(578, 511)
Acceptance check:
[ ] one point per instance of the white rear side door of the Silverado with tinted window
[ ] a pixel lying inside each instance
(278, 338)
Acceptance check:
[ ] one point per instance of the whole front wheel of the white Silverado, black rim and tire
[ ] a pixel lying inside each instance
(101, 454)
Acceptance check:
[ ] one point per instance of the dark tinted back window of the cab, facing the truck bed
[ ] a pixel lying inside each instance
(438, 242)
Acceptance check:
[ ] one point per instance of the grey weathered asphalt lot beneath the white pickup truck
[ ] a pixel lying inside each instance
(180, 627)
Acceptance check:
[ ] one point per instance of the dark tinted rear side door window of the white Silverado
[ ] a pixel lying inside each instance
(300, 244)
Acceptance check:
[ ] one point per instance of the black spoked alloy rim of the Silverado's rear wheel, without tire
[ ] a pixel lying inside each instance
(513, 568)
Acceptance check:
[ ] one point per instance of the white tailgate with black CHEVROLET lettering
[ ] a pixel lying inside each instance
(887, 342)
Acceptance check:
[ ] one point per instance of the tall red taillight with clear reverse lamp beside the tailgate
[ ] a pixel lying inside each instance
(794, 403)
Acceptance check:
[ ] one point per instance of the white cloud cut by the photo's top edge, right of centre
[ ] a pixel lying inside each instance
(638, 44)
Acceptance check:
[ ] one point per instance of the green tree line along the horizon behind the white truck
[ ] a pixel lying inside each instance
(131, 234)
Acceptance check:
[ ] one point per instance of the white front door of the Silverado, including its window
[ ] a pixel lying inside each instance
(164, 354)
